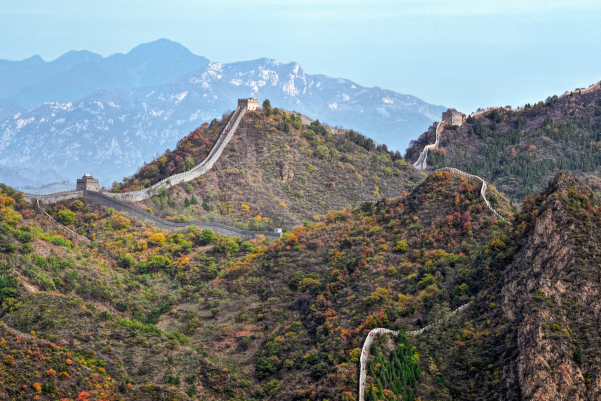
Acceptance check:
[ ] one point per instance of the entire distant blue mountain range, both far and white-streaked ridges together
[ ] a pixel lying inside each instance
(106, 116)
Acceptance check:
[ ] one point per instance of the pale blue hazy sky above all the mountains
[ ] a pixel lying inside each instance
(464, 54)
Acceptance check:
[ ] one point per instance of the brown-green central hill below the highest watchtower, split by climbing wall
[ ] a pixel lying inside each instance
(275, 172)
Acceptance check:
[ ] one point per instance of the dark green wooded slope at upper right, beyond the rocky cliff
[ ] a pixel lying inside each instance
(519, 151)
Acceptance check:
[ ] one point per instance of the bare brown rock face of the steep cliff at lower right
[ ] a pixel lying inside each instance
(551, 296)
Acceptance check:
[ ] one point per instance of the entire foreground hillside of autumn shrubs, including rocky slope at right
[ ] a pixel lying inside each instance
(144, 314)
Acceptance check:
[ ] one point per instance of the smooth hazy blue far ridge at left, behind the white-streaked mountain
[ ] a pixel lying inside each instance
(74, 75)
